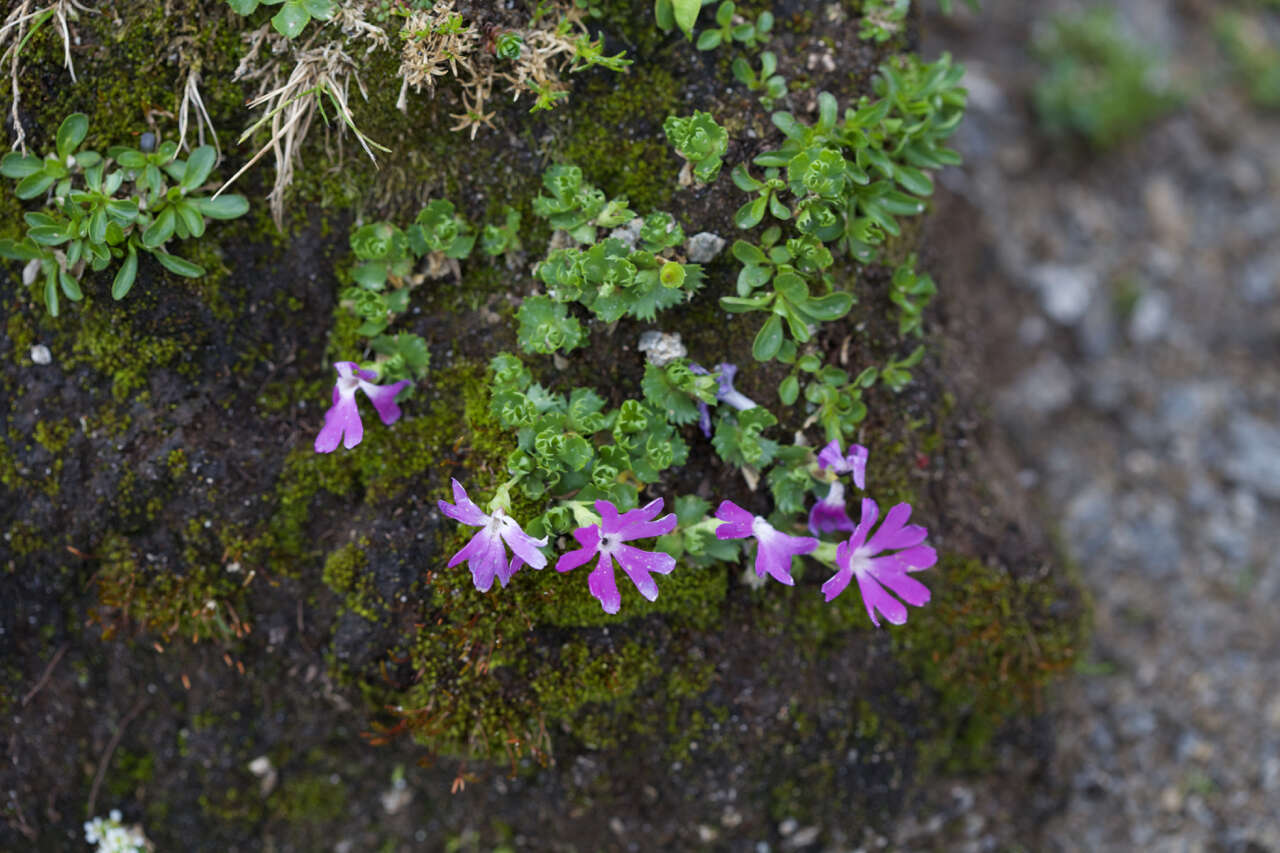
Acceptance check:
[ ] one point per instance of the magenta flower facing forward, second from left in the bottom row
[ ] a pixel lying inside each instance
(606, 540)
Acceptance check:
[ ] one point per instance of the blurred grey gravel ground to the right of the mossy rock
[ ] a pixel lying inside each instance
(1128, 308)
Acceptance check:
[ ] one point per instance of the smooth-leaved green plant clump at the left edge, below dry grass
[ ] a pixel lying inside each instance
(95, 215)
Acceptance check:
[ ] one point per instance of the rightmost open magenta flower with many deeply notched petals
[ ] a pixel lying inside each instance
(858, 559)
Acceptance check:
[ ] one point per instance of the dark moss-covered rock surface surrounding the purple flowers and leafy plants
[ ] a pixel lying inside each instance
(199, 576)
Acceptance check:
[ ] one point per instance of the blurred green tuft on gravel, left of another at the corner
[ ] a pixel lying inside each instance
(1099, 83)
